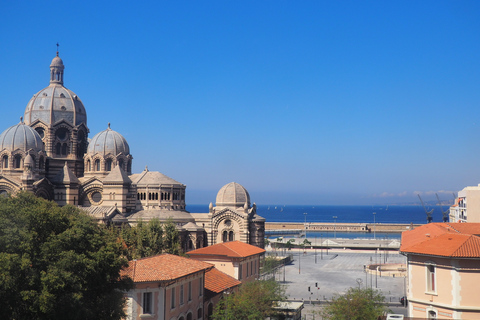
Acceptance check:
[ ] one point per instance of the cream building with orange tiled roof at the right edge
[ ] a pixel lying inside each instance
(443, 261)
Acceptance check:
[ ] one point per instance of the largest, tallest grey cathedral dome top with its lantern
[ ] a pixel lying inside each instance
(55, 102)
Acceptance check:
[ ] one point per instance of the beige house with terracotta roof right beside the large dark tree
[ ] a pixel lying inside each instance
(170, 287)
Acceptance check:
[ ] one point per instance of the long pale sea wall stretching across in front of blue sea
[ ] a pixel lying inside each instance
(340, 227)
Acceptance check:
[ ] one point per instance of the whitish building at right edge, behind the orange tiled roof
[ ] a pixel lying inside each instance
(467, 205)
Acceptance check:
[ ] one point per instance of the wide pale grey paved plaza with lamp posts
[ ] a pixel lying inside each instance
(315, 277)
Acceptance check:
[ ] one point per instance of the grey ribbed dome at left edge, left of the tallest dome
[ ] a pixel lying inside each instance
(20, 136)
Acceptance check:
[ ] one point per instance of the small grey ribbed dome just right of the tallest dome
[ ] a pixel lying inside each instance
(108, 141)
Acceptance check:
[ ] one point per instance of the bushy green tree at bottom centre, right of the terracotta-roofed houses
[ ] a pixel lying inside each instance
(254, 300)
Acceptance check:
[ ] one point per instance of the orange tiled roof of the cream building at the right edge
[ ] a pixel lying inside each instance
(458, 240)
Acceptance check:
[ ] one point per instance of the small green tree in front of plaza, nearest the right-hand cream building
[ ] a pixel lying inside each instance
(356, 304)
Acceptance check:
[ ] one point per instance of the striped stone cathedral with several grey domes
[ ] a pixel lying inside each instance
(50, 154)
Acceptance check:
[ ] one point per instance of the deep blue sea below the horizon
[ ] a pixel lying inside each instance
(402, 214)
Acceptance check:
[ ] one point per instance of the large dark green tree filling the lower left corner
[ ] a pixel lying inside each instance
(57, 263)
